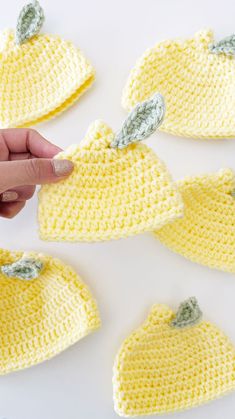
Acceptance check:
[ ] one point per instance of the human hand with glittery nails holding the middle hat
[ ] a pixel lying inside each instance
(26, 161)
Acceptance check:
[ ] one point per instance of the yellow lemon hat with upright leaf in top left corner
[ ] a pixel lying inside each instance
(40, 75)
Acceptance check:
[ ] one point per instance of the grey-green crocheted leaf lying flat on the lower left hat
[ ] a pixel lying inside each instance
(25, 268)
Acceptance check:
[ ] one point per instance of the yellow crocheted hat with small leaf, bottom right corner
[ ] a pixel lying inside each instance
(172, 363)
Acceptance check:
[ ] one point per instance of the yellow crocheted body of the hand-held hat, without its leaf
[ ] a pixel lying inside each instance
(111, 193)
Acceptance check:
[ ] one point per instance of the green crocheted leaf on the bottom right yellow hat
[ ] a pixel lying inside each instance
(188, 314)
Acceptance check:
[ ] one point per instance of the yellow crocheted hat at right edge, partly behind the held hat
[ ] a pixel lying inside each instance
(206, 234)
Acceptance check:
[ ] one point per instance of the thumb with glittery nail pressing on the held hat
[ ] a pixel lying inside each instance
(33, 172)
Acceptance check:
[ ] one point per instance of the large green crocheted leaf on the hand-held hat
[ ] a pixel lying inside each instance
(145, 118)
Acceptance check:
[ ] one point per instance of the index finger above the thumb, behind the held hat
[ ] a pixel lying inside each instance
(23, 140)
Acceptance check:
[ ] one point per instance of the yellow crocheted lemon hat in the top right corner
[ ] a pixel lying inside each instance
(196, 77)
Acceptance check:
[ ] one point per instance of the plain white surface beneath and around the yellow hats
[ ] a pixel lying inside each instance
(129, 275)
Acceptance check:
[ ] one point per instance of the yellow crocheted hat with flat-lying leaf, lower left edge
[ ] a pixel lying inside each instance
(44, 308)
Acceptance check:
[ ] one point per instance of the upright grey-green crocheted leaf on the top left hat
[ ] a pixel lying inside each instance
(29, 22)
